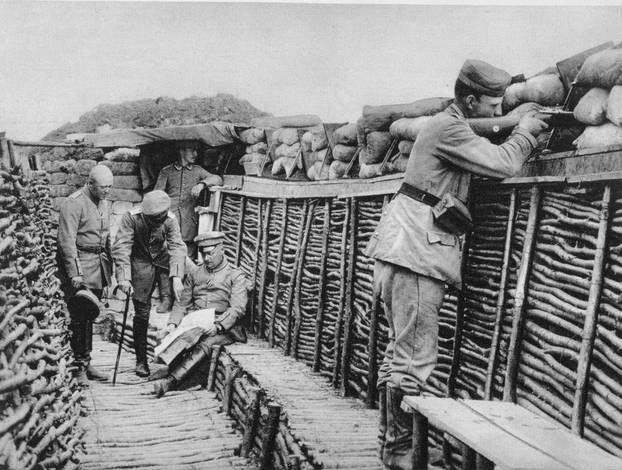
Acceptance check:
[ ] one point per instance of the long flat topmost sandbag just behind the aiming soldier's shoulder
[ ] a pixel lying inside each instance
(379, 118)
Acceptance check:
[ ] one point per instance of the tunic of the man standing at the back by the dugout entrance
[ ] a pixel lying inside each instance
(177, 181)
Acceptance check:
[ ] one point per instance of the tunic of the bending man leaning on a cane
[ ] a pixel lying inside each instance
(140, 251)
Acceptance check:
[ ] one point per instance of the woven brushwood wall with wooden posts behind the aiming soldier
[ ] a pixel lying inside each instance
(537, 320)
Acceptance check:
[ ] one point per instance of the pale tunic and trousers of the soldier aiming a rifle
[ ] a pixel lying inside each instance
(414, 256)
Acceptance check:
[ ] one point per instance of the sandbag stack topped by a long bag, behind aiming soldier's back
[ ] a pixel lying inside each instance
(373, 129)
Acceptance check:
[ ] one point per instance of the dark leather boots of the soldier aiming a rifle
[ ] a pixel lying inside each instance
(398, 437)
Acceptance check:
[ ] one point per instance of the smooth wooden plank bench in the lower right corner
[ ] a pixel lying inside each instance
(502, 435)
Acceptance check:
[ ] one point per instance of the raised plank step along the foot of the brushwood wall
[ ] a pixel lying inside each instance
(339, 433)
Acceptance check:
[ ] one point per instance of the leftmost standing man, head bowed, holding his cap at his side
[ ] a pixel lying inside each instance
(84, 262)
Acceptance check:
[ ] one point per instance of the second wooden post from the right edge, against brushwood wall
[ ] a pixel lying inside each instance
(509, 389)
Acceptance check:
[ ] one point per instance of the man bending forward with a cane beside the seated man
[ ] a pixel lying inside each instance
(148, 244)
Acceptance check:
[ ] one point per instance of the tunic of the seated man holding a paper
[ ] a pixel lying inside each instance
(222, 288)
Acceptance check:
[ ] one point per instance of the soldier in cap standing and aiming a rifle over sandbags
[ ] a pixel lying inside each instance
(417, 244)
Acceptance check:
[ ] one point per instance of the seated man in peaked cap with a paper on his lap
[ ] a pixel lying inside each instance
(213, 283)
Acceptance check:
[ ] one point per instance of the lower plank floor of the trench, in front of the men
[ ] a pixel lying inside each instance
(127, 427)
